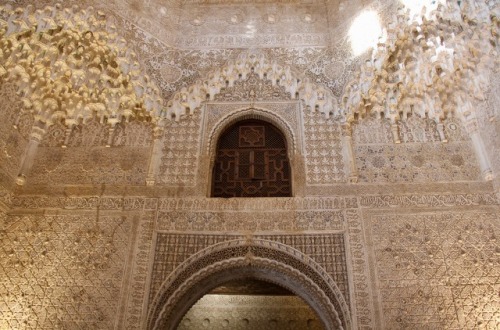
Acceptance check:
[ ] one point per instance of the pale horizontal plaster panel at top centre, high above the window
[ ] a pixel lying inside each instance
(253, 25)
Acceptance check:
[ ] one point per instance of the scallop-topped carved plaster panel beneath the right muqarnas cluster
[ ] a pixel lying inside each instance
(420, 157)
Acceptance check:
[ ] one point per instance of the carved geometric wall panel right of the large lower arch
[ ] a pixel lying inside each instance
(438, 270)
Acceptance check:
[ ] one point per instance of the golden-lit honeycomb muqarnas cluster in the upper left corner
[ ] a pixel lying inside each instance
(70, 64)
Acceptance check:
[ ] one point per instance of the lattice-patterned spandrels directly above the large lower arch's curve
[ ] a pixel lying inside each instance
(327, 250)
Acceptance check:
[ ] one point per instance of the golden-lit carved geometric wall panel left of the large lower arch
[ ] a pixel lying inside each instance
(61, 272)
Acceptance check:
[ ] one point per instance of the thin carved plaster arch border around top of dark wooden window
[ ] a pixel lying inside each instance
(251, 113)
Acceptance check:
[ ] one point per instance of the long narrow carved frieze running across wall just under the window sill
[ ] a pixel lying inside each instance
(374, 200)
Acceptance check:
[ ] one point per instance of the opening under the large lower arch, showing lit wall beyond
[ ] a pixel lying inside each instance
(249, 304)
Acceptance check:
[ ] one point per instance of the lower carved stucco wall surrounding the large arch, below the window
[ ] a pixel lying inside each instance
(413, 260)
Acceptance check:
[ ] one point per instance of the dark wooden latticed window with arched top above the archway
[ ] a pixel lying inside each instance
(251, 161)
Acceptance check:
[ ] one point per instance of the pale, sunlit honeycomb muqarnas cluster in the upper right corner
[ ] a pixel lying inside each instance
(433, 65)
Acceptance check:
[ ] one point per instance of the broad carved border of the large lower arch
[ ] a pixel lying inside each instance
(261, 259)
